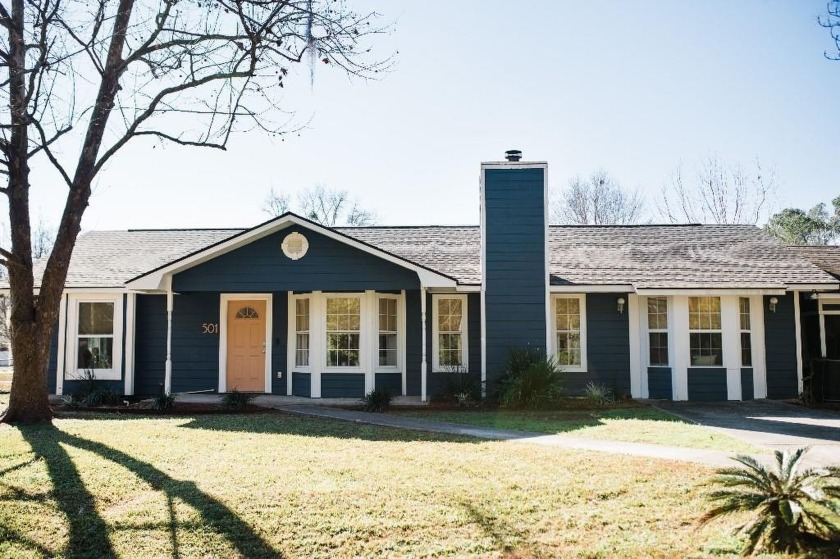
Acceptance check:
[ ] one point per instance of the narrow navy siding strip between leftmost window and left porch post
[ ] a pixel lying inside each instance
(149, 344)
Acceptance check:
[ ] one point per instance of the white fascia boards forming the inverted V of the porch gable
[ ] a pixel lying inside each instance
(155, 280)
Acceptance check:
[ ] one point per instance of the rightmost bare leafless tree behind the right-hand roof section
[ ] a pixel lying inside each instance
(718, 193)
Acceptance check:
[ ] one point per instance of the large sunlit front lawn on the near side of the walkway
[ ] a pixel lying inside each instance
(265, 485)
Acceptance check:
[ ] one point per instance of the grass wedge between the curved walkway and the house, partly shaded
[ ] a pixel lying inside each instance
(632, 423)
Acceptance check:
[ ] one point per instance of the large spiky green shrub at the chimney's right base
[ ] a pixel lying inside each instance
(529, 380)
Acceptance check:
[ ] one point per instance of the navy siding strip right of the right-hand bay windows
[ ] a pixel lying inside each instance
(780, 344)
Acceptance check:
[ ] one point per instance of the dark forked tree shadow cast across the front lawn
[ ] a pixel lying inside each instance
(88, 532)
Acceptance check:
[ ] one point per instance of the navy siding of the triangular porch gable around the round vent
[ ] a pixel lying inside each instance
(261, 267)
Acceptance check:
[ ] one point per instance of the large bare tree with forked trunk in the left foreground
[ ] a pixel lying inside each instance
(86, 77)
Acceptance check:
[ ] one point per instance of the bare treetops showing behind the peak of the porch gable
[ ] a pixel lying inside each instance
(323, 205)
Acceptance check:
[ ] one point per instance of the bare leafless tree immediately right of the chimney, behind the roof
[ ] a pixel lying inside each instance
(599, 200)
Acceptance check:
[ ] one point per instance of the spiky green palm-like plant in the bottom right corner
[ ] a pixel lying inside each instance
(793, 510)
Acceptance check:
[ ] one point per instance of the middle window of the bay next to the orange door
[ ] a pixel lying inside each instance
(344, 322)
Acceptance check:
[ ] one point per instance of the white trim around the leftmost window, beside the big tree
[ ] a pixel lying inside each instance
(72, 348)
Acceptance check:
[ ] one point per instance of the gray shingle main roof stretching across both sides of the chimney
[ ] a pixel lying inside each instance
(650, 256)
